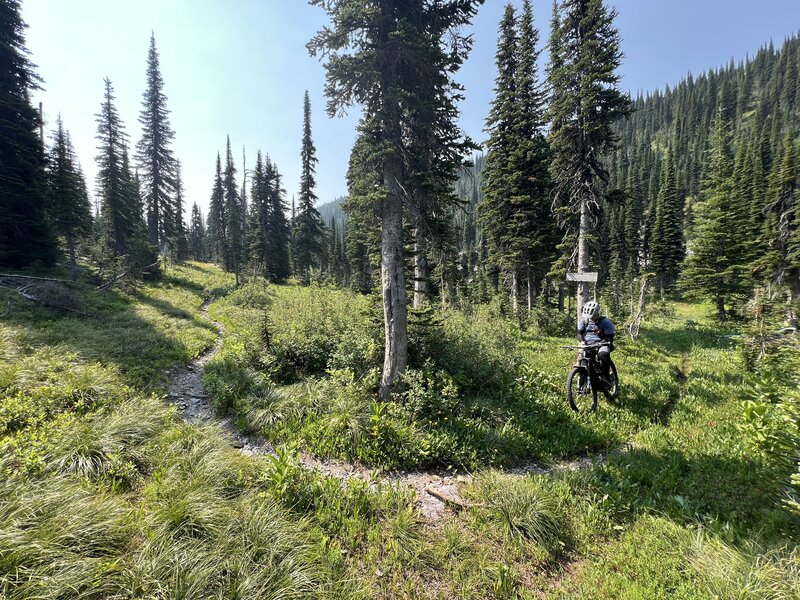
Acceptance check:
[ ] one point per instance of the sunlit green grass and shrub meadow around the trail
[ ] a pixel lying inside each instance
(106, 493)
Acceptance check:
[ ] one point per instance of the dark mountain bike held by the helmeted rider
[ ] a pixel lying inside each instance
(586, 378)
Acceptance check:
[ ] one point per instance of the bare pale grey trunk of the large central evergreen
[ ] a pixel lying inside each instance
(393, 279)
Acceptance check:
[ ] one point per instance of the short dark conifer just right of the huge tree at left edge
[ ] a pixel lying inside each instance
(69, 209)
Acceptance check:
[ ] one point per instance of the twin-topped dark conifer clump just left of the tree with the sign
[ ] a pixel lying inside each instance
(515, 212)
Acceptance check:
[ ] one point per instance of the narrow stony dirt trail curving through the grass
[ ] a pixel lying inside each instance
(434, 490)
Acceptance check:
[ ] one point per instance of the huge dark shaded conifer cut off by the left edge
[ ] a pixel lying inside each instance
(24, 233)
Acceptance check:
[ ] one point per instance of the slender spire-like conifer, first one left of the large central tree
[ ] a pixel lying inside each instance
(308, 226)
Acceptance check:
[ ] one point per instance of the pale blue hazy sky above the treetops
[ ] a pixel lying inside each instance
(240, 68)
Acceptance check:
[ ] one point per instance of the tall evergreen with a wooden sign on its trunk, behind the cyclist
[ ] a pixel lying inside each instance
(584, 57)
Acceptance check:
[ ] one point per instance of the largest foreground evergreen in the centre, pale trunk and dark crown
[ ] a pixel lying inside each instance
(380, 55)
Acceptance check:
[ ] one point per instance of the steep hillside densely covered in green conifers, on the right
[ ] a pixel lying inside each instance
(730, 132)
